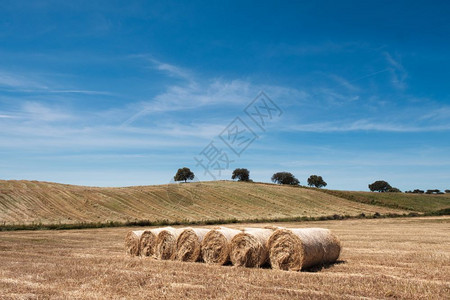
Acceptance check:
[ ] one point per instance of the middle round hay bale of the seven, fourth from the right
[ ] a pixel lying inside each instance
(189, 244)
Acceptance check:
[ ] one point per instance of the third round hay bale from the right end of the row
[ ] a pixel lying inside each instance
(216, 245)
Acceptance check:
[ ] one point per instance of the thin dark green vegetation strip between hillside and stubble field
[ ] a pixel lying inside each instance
(39, 226)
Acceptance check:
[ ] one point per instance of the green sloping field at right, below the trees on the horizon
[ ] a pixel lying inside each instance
(416, 202)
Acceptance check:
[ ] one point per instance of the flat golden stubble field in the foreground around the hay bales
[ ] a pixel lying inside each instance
(405, 258)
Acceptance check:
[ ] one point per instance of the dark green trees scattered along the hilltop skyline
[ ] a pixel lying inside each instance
(287, 178)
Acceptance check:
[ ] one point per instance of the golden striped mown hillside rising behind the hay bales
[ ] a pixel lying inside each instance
(26, 202)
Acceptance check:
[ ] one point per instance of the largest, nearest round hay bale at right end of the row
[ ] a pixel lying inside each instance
(300, 248)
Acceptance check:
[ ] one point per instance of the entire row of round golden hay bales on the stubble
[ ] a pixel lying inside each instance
(285, 249)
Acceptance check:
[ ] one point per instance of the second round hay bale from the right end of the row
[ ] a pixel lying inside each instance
(249, 248)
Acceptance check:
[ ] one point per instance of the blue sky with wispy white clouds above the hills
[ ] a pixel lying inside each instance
(115, 93)
